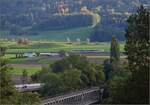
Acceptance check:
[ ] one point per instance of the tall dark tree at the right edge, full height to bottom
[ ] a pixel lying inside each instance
(137, 48)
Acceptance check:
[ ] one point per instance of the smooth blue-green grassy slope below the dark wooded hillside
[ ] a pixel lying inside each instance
(81, 33)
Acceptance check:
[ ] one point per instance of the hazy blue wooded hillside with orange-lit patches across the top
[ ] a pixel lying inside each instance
(30, 18)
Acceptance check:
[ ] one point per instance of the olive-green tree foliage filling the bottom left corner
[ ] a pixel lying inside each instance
(8, 93)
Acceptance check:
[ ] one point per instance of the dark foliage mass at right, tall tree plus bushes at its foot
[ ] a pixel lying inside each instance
(134, 88)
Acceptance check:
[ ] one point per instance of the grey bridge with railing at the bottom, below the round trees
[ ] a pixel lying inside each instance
(84, 97)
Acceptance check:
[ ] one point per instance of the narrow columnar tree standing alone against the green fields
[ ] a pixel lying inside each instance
(115, 51)
